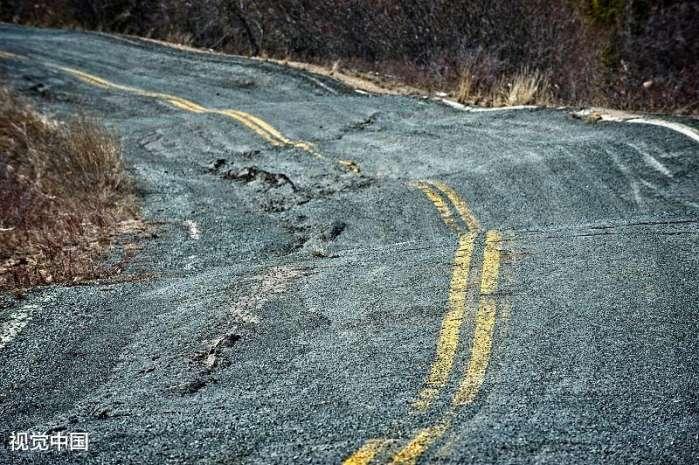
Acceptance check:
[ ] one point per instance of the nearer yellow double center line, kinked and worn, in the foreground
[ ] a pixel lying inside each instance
(467, 227)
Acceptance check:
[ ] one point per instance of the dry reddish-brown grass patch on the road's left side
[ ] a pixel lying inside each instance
(64, 196)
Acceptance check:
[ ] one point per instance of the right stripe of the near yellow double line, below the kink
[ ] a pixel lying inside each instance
(482, 343)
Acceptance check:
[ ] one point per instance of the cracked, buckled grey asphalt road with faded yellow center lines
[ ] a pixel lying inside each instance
(340, 277)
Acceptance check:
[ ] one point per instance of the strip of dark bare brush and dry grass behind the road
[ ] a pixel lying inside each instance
(627, 54)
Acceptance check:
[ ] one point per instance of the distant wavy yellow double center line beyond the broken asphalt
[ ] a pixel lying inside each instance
(251, 122)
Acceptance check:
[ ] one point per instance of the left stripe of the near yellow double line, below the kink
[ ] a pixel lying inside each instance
(448, 340)
